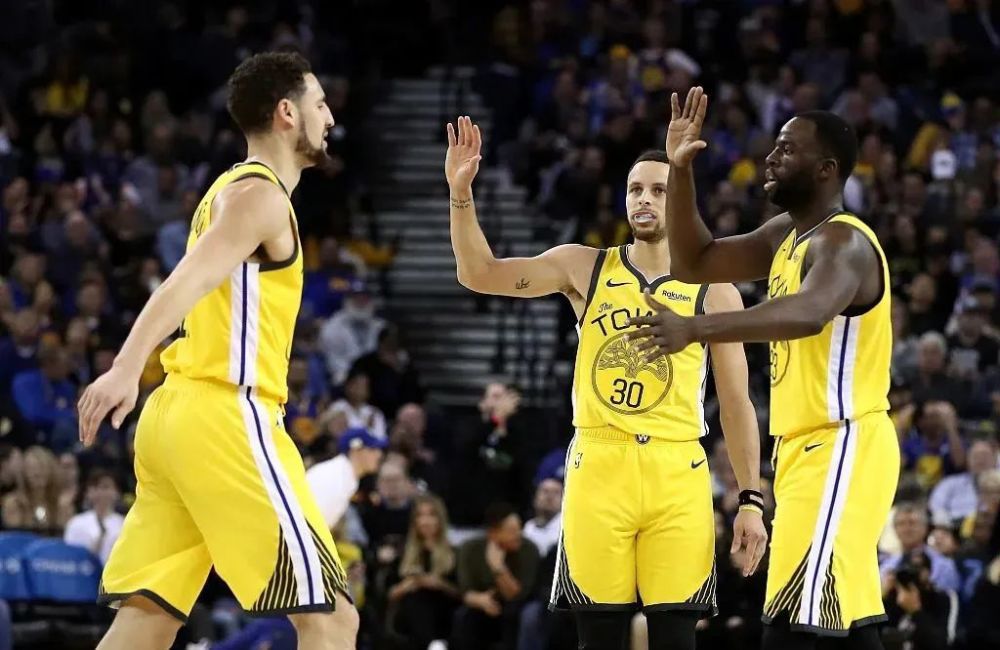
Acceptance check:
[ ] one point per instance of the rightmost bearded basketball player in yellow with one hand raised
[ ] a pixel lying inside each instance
(827, 320)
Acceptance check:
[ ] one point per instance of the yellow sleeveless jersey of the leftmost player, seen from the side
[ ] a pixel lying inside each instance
(240, 333)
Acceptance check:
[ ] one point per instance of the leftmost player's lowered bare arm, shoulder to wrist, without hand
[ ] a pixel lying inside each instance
(245, 215)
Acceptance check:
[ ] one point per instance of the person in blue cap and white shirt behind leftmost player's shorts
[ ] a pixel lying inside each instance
(334, 482)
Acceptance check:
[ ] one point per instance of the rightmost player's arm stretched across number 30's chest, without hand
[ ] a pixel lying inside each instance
(840, 256)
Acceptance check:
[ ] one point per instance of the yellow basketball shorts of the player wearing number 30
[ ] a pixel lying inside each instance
(637, 521)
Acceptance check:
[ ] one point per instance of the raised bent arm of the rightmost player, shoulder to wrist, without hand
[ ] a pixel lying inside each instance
(695, 256)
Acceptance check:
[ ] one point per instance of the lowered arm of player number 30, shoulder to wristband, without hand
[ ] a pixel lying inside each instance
(739, 420)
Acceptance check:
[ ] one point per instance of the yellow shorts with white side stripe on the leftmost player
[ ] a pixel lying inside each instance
(221, 483)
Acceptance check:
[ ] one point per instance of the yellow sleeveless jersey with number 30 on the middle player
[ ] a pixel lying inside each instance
(613, 385)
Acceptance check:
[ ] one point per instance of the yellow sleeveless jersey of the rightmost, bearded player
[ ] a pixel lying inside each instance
(840, 374)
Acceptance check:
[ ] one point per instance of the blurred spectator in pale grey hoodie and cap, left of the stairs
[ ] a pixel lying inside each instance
(350, 333)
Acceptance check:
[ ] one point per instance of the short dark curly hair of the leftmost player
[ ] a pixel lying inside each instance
(259, 83)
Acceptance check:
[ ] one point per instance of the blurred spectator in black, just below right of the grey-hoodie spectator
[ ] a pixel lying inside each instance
(394, 379)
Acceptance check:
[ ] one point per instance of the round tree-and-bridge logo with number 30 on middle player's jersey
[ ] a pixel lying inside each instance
(625, 382)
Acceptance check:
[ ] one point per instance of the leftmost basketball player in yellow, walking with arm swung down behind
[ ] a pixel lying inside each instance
(220, 481)
